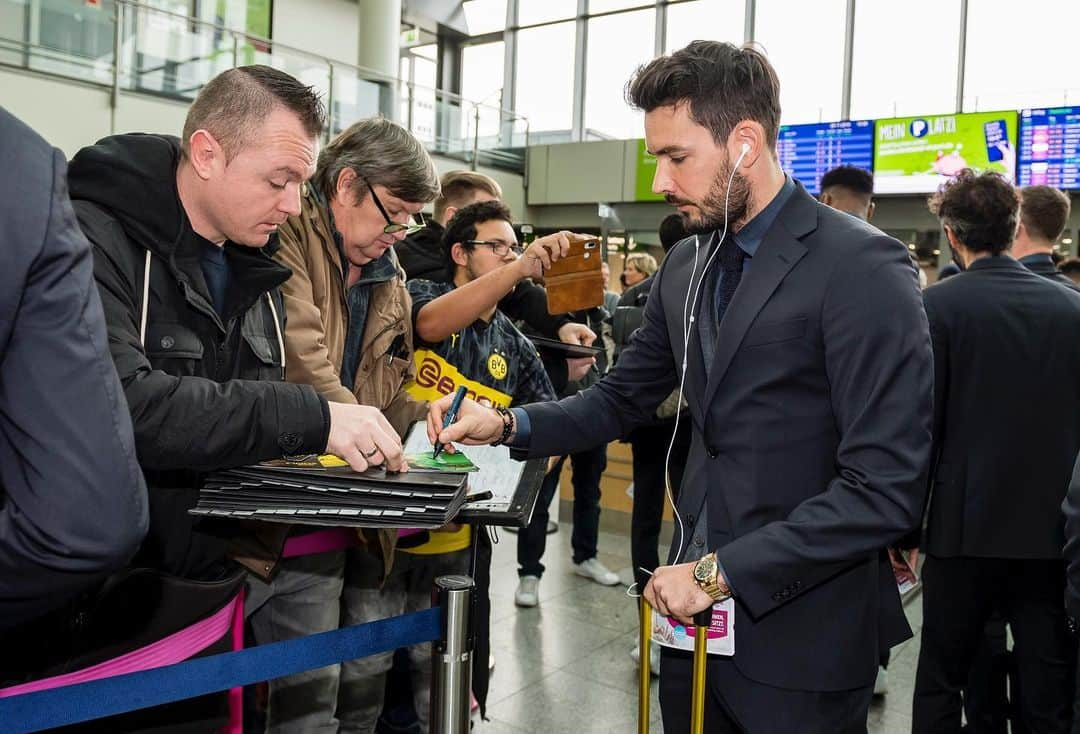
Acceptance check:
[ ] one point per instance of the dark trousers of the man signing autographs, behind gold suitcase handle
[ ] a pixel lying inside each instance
(736, 704)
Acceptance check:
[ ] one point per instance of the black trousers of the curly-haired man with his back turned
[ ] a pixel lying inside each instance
(960, 595)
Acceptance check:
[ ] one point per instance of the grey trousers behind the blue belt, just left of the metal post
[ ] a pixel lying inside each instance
(407, 590)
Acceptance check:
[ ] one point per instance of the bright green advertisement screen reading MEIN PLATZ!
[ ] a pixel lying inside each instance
(919, 155)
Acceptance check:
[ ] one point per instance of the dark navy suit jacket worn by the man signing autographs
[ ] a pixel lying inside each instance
(812, 438)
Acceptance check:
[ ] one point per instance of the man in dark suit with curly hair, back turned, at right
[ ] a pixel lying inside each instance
(1007, 431)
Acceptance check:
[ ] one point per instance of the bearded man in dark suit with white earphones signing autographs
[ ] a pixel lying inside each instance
(808, 378)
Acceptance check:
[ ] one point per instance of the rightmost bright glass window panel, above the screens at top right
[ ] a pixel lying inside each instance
(1025, 59)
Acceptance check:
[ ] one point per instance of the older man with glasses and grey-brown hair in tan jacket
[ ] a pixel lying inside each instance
(349, 335)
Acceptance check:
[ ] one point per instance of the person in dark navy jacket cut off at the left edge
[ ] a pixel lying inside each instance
(73, 500)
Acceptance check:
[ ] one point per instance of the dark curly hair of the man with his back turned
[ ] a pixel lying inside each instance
(982, 210)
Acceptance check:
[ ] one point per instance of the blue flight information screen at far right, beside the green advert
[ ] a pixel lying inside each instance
(1050, 147)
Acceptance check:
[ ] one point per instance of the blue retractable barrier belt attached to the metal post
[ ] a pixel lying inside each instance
(109, 697)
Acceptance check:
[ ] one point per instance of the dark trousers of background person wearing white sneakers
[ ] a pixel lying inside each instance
(587, 469)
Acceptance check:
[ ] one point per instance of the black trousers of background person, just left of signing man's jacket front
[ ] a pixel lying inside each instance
(650, 448)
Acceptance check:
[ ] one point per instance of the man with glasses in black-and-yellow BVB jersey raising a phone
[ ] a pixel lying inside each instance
(463, 339)
